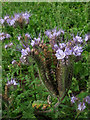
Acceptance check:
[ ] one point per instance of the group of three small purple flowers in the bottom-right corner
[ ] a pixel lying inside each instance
(81, 105)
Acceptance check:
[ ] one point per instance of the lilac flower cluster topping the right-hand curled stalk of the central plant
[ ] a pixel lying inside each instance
(65, 48)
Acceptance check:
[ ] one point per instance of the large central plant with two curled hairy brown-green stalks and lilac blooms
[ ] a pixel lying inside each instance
(55, 59)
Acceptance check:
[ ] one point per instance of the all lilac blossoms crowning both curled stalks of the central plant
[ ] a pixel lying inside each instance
(62, 48)
